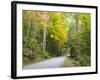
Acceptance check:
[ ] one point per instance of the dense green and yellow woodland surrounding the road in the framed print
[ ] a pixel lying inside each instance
(51, 34)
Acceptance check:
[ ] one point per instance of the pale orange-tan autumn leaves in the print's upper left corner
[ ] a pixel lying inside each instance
(38, 18)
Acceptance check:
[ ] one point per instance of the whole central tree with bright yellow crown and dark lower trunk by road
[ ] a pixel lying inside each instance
(58, 32)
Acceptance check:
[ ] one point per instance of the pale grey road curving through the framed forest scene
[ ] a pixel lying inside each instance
(50, 63)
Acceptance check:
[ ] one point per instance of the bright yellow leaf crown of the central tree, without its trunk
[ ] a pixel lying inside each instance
(58, 30)
